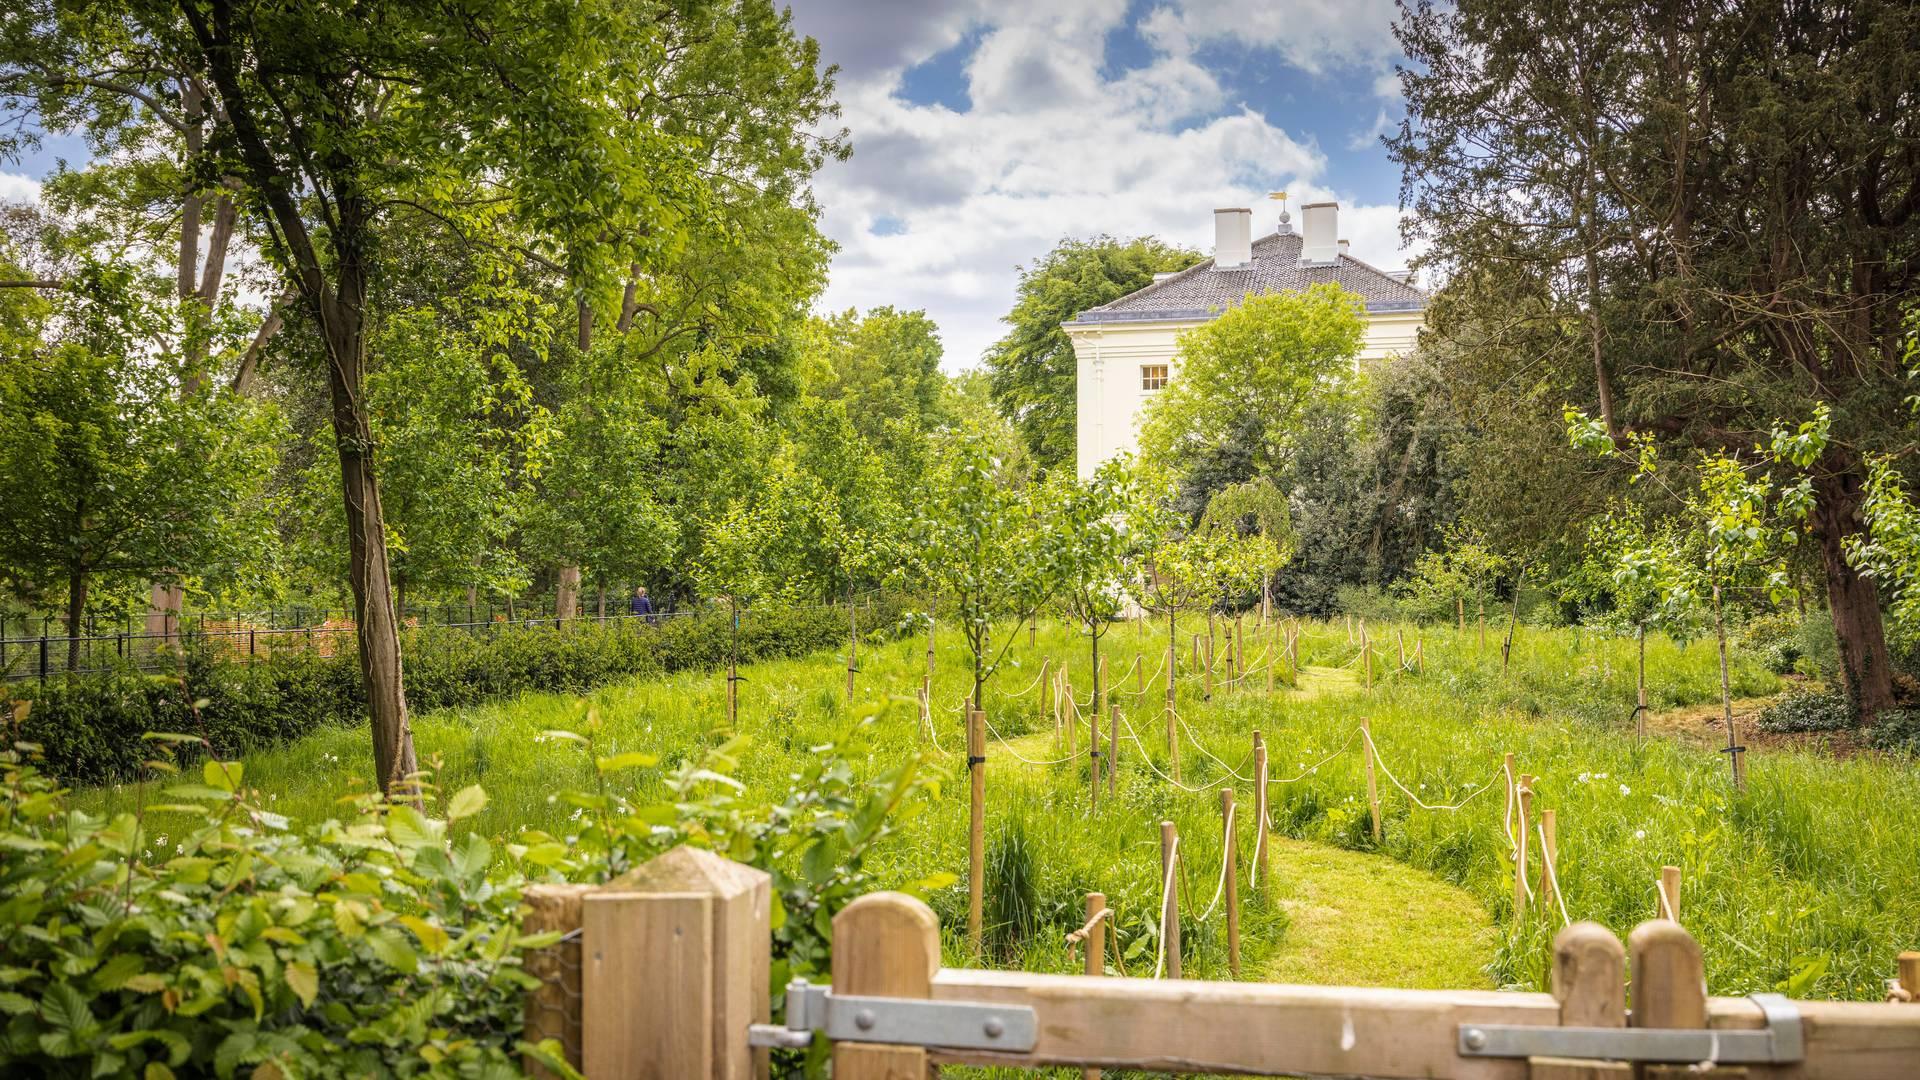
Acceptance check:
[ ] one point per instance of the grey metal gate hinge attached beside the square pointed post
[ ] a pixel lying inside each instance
(903, 1021)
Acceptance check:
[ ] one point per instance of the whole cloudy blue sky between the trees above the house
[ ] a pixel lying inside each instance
(984, 132)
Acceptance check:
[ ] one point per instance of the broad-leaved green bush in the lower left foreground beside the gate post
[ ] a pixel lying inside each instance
(204, 937)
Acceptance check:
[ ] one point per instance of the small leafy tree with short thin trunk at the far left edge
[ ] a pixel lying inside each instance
(107, 468)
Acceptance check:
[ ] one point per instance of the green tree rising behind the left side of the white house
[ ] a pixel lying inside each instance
(1032, 368)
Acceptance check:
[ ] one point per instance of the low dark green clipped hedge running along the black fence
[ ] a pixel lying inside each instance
(91, 725)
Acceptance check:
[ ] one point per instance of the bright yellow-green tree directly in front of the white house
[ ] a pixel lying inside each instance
(1247, 378)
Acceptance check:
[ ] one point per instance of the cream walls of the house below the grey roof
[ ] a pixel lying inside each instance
(1111, 358)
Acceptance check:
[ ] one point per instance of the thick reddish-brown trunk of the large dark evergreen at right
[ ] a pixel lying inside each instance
(1865, 670)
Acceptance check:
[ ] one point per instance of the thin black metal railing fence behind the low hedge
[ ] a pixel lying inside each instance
(245, 639)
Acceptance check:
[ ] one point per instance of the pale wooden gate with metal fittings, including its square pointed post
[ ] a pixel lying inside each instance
(673, 981)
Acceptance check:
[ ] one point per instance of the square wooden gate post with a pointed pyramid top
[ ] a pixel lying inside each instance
(677, 970)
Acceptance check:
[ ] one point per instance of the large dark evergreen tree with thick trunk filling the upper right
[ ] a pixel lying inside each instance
(1712, 214)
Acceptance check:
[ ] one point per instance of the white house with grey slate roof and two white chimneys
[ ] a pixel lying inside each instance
(1126, 351)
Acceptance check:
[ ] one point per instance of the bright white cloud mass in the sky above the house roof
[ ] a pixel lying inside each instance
(1053, 149)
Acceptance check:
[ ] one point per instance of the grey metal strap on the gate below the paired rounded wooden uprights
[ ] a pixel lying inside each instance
(1779, 1043)
